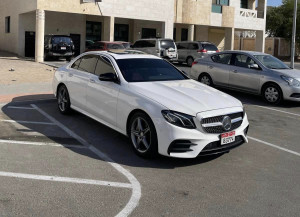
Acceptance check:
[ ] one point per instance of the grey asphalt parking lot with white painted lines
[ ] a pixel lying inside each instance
(56, 165)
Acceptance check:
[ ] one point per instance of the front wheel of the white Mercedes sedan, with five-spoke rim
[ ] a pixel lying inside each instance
(143, 135)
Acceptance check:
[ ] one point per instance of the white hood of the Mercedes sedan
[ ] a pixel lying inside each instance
(186, 96)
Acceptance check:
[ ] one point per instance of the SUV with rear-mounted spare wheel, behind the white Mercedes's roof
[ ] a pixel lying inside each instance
(165, 48)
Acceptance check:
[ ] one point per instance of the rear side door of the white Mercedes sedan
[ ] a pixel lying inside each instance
(78, 79)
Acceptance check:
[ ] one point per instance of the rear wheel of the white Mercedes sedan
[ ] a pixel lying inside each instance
(63, 100)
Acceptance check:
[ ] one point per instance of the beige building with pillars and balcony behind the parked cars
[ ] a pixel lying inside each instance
(23, 24)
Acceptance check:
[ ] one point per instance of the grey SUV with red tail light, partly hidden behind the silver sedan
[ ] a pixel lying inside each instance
(188, 51)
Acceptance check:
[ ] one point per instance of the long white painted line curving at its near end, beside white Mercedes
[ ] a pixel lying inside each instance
(136, 187)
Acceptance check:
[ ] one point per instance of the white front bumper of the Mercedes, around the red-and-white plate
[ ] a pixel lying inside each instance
(168, 133)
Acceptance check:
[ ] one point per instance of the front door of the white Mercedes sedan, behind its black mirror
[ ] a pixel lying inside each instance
(102, 96)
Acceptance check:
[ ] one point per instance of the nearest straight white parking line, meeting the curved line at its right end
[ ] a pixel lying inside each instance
(65, 179)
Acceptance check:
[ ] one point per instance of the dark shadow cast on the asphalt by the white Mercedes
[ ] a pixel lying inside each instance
(113, 144)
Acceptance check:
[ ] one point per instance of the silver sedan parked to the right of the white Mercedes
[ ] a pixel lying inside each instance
(251, 72)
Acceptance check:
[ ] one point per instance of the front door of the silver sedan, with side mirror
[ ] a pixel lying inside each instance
(242, 77)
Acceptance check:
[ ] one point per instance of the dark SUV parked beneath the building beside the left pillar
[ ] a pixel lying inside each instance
(57, 46)
